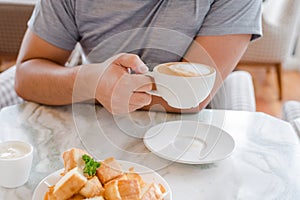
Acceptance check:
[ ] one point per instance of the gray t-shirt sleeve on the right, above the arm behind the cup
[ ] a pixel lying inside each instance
(233, 17)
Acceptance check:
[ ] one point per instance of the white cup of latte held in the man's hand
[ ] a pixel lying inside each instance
(182, 84)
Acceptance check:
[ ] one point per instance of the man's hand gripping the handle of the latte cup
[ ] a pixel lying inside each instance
(118, 90)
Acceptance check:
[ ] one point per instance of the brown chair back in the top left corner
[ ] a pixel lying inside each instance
(13, 24)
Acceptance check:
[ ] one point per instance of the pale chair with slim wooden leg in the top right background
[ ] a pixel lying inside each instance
(280, 21)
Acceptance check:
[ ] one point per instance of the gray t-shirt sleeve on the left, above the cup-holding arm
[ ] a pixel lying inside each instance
(54, 21)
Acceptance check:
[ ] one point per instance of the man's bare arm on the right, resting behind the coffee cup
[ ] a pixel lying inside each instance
(223, 52)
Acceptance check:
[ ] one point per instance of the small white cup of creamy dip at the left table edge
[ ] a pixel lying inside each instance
(15, 163)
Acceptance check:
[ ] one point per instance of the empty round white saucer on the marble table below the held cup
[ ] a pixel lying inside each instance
(189, 142)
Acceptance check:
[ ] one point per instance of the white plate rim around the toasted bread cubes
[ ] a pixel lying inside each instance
(147, 174)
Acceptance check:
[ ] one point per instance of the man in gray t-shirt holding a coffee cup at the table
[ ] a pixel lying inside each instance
(121, 35)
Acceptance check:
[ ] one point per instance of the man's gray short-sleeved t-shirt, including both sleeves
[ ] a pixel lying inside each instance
(157, 30)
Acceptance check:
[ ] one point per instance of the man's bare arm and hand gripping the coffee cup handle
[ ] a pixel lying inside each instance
(41, 77)
